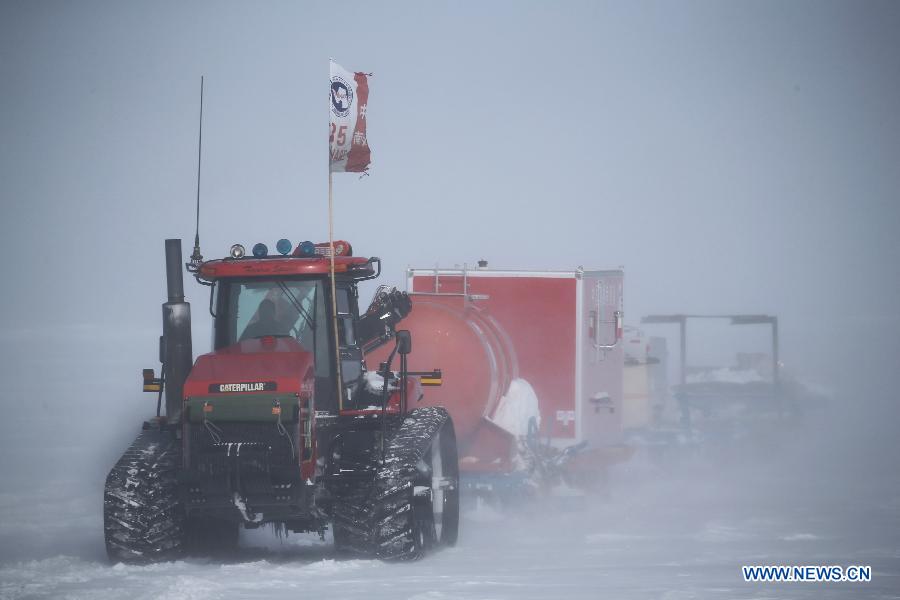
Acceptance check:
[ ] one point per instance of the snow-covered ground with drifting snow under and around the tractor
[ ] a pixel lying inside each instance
(675, 529)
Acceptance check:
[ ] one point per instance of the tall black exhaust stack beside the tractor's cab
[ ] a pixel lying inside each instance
(177, 354)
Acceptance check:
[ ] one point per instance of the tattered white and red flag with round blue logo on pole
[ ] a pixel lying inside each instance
(348, 146)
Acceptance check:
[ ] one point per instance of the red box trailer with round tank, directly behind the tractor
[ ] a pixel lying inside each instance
(532, 366)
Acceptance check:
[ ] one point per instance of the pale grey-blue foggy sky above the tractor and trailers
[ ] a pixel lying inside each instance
(732, 157)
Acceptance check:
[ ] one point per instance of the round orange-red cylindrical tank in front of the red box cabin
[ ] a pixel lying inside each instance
(471, 349)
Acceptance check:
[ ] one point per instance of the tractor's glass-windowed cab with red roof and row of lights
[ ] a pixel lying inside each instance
(283, 304)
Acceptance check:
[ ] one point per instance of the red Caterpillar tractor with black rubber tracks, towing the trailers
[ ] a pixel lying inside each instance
(282, 423)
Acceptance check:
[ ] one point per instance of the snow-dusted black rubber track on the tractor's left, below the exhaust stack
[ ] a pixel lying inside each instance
(142, 519)
